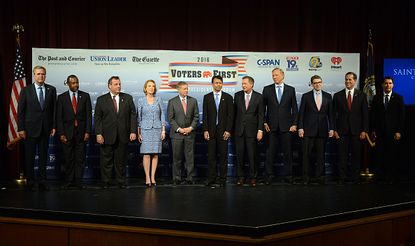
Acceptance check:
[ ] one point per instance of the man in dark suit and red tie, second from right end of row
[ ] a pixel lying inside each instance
(351, 125)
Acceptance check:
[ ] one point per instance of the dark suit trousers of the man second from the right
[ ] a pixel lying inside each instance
(349, 144)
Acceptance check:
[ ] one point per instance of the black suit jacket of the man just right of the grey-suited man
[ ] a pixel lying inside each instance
(225, 114)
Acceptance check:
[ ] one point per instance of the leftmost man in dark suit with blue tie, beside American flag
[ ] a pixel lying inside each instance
(36, 122)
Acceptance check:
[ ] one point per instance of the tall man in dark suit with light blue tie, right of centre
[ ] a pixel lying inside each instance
(280, 105)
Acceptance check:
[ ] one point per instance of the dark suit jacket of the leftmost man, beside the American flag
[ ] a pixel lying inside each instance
(31, 118)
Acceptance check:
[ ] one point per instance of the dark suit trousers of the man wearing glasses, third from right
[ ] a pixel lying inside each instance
(313, 147)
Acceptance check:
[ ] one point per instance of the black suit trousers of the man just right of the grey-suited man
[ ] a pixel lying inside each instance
(217, 150)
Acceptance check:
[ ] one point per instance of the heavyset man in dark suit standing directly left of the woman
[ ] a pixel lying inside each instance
(115, 125)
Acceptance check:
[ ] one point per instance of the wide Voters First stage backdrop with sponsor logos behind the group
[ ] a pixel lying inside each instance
(167, 67)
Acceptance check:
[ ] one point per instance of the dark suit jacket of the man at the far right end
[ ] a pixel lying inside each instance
(387, 121)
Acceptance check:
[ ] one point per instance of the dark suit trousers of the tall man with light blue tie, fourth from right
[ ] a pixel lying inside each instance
(283, 140)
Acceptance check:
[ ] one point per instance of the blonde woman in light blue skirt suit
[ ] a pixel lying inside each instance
(151, 129)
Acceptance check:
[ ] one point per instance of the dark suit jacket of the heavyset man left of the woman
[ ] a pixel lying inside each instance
(110, 124)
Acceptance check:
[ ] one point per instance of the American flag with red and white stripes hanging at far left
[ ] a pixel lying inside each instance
(18, 84)
